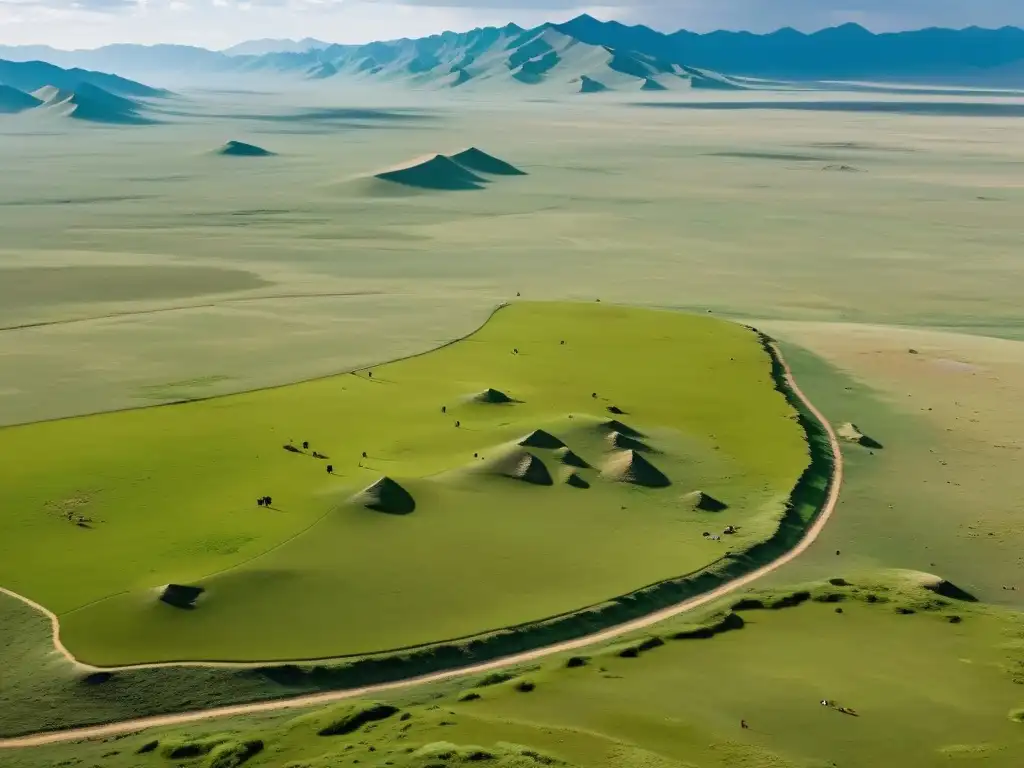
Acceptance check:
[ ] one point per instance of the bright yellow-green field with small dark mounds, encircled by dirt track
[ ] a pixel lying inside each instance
(137, 500)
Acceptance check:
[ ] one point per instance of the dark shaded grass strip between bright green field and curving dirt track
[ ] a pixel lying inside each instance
(60, 700)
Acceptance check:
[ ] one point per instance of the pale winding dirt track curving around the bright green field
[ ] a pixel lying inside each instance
(130, 727)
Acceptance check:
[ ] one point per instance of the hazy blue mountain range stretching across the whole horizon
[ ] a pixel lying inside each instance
(589, 55)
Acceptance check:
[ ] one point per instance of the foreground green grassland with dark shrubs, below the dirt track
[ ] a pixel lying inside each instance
(932, 680)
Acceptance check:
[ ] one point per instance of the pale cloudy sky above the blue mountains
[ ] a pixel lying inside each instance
(219, 24)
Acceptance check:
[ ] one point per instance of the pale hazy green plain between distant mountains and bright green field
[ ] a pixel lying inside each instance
(690, 209)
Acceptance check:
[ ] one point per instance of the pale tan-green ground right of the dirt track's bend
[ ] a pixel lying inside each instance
(944, 495)
